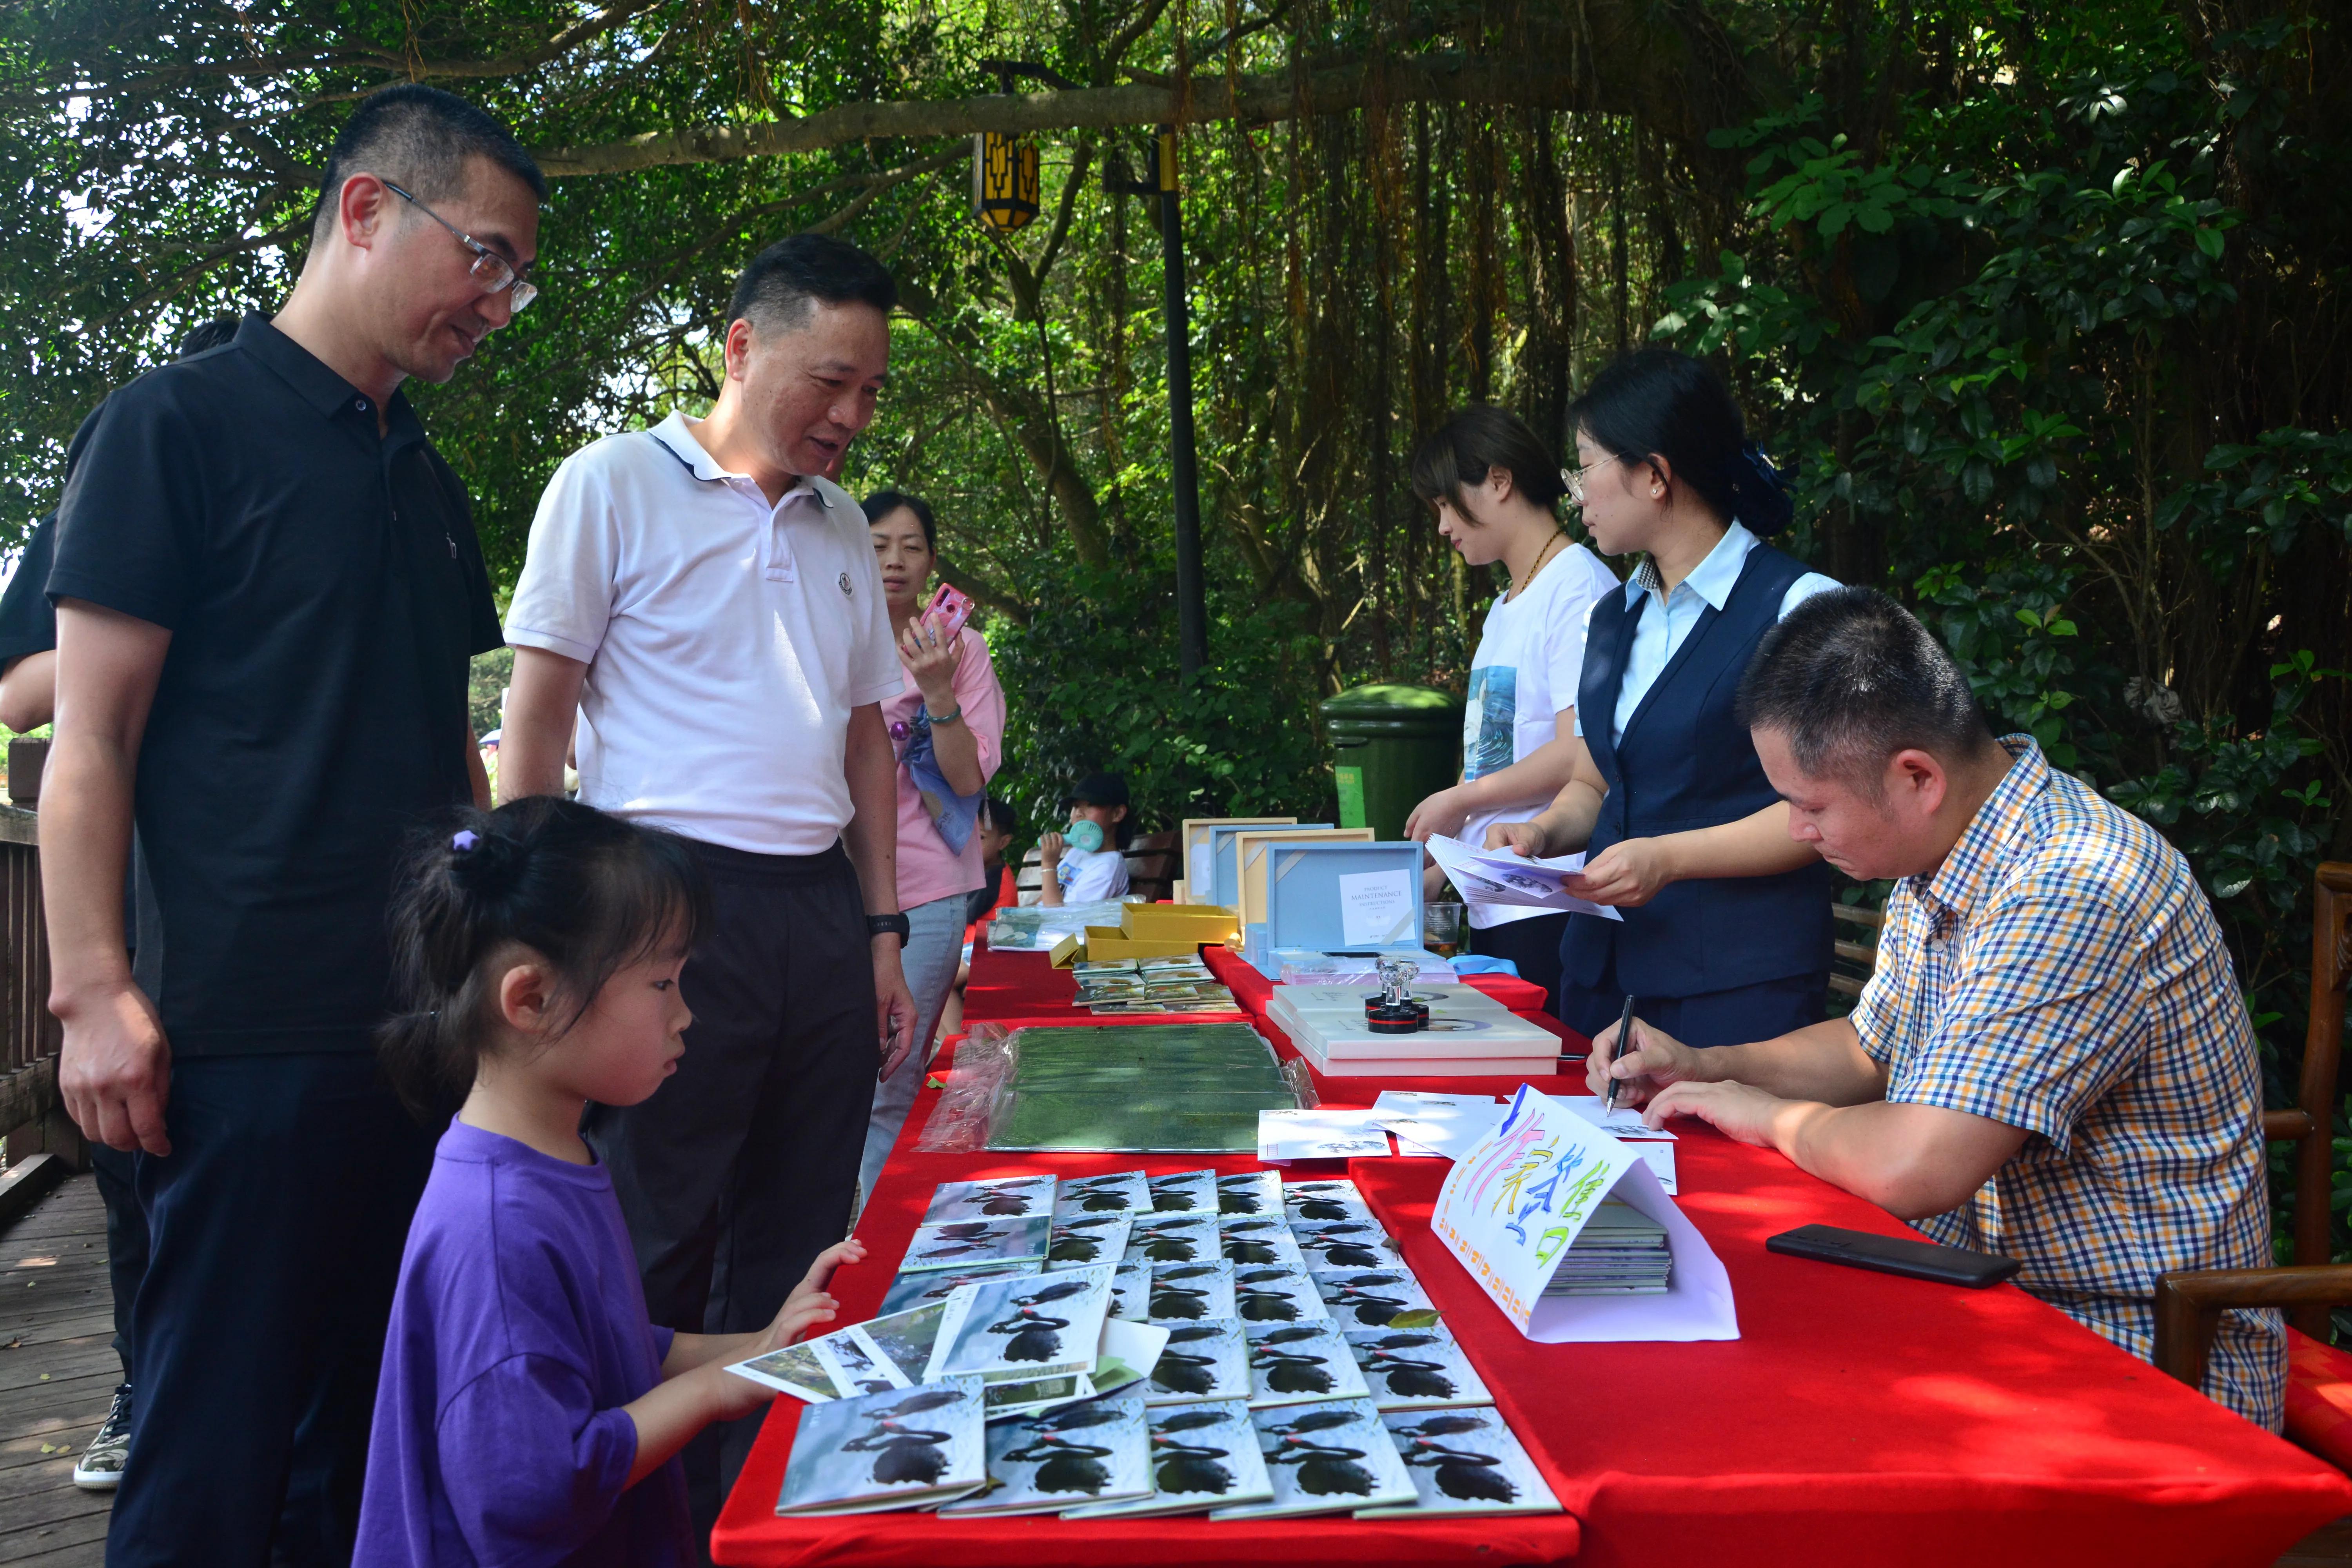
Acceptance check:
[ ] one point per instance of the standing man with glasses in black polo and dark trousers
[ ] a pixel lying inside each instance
(267, 598)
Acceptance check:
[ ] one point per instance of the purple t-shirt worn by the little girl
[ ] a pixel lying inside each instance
(519, 1334)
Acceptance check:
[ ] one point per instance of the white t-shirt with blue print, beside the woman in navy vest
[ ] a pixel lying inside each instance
(1525, 671)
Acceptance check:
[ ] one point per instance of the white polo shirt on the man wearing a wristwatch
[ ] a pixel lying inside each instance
(726, 638)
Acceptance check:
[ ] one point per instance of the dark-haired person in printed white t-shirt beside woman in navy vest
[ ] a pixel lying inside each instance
(1497, 490)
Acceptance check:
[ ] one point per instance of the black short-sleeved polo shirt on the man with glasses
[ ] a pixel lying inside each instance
(323, 591)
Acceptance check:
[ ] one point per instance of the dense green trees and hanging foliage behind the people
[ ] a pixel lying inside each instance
(2043, 309)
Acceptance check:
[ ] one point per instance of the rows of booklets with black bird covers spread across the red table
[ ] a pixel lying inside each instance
(1140, 1346)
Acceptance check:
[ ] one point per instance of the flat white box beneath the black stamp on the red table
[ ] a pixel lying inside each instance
(1469, 1036)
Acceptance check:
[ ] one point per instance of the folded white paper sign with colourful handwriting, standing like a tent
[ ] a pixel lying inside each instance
(1516, 1202)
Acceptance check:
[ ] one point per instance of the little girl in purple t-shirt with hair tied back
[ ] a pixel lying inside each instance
(528, 1409)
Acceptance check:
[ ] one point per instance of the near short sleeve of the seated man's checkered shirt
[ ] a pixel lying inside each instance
(2043, 1017)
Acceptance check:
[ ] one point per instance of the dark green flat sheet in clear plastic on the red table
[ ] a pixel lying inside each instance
(1175, 1087)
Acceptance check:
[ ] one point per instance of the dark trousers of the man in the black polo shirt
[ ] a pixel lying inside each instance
(276, 1231)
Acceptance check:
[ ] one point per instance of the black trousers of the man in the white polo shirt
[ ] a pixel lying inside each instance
(742, 1167)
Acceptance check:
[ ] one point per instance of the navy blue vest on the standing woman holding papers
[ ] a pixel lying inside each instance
(1688, 763)
